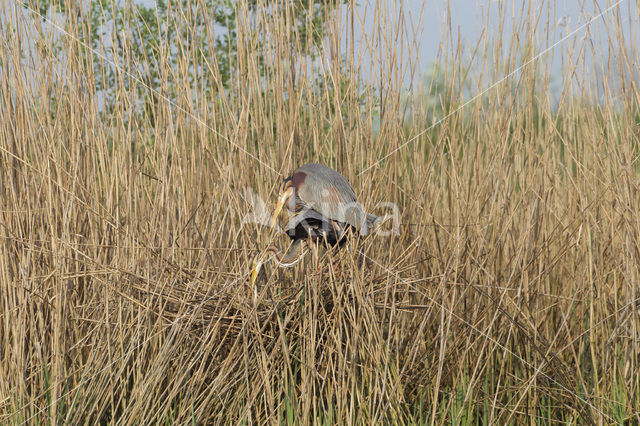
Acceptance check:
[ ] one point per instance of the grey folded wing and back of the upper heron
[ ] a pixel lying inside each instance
(330, 194)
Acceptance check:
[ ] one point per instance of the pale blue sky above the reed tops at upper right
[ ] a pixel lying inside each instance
(467, 20)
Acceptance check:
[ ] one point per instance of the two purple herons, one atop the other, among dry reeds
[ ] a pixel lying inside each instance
(325, 212)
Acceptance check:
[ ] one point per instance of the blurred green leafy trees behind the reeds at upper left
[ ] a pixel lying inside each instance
(144, 39)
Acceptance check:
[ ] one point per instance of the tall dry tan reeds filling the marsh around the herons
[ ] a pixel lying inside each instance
(510, 295)
